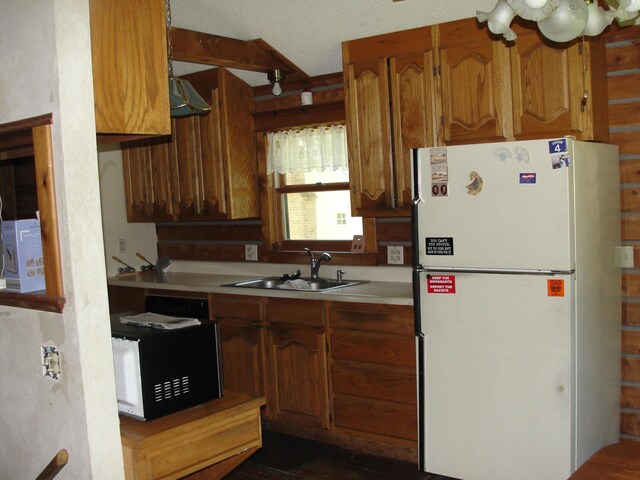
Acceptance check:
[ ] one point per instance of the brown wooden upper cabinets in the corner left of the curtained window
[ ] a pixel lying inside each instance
(209, 162)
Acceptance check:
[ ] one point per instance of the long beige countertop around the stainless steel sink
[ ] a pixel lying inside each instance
(393, 293)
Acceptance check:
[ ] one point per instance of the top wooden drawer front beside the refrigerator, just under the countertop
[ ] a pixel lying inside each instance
(397, 319)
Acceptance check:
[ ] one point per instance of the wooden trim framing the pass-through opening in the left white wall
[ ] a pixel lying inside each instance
(36, 134)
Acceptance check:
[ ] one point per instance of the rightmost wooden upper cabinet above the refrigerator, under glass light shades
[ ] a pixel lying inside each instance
(558, 90)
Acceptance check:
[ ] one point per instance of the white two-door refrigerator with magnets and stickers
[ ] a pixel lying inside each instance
(517, 304)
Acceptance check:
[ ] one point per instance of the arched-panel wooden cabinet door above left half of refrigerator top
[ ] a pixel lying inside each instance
(475, 91)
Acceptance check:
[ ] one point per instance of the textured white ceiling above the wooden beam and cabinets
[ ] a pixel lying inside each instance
(309, 32)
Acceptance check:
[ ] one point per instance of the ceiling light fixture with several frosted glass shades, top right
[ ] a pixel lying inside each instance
(558, 20)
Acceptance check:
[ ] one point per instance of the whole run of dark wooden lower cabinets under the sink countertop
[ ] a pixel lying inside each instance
(338, 372)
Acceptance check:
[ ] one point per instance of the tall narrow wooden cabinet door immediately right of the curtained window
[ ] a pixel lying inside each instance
(369, 135)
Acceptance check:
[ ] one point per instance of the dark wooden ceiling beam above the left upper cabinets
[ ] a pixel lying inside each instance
(208, 49)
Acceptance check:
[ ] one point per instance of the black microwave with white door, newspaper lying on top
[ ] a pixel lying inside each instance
(159, 372)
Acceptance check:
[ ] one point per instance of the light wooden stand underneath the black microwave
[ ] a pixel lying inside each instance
(204, 442)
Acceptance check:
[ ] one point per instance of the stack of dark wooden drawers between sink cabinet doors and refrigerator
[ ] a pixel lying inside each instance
(373, 373)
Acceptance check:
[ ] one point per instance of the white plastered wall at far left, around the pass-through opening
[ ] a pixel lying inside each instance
(46, 67)
